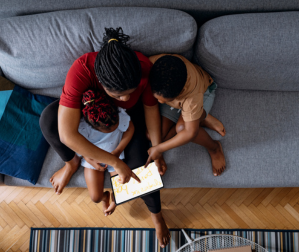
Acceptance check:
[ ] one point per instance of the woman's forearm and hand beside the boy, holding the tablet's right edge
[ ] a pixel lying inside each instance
(153, 124)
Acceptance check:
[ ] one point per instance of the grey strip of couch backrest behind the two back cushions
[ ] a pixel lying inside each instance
(201, 10)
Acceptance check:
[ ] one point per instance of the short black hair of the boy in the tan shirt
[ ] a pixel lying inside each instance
(168, 76)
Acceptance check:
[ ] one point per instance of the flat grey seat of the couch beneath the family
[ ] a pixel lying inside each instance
(261, 146)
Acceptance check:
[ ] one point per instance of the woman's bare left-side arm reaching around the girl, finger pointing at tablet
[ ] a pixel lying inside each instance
(68, 123)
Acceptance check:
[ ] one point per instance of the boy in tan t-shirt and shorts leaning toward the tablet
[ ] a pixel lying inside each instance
(186, 93)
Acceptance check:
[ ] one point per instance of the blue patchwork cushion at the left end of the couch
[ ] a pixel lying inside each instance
(22, 145)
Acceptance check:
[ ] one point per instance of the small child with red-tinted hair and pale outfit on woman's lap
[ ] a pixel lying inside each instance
(109, 128)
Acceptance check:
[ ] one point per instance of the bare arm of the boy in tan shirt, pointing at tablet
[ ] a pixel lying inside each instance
(186, 135)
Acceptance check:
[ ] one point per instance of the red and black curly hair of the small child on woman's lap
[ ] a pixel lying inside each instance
(99, 110)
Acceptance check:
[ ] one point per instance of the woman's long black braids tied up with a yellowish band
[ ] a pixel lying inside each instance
(117, 65)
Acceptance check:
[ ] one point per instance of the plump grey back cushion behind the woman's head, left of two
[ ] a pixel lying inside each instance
(37, 51)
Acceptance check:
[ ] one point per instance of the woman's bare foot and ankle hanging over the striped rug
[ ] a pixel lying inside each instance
(162, 231)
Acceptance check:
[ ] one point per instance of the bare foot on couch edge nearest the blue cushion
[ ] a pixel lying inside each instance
(61, 178)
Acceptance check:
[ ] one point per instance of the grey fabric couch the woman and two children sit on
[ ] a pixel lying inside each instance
(252, 57)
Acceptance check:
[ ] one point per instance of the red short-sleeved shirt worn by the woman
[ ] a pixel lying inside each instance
(81, 77)
